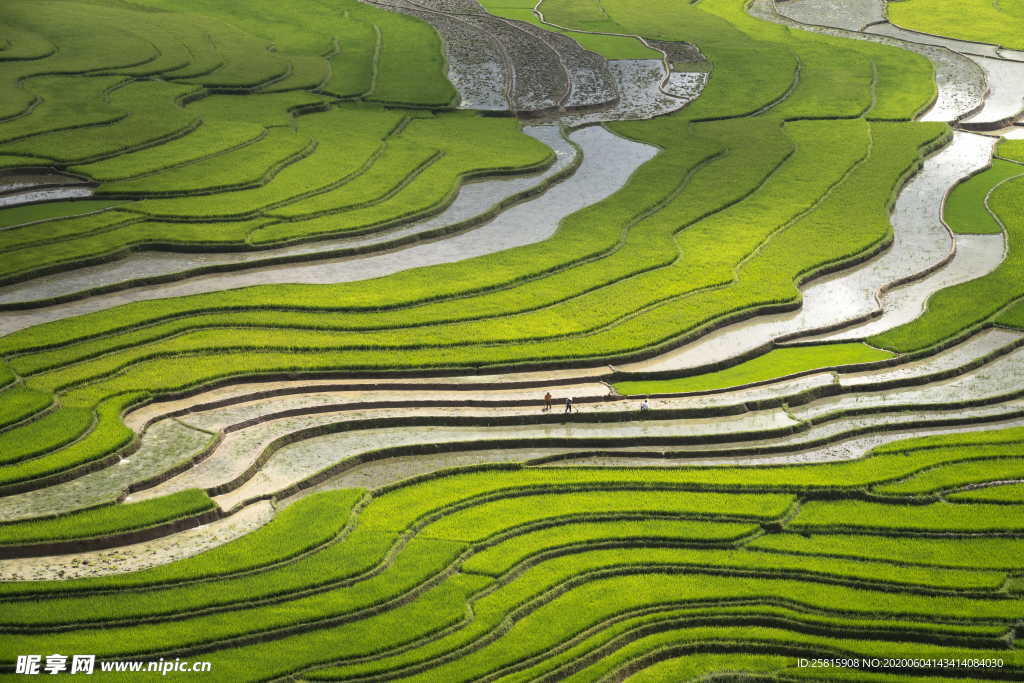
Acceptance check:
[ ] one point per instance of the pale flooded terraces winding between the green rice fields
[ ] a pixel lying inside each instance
(260, 447)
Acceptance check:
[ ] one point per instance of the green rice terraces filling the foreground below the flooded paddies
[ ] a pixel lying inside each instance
(575, 574)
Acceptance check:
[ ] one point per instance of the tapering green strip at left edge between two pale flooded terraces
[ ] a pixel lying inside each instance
(108, 520)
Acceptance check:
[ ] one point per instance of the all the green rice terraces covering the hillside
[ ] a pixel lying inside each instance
(222, 126)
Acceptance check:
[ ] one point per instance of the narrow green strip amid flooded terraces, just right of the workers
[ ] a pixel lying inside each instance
(775, 364)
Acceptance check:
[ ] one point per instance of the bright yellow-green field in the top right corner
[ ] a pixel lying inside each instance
(980, 21)
